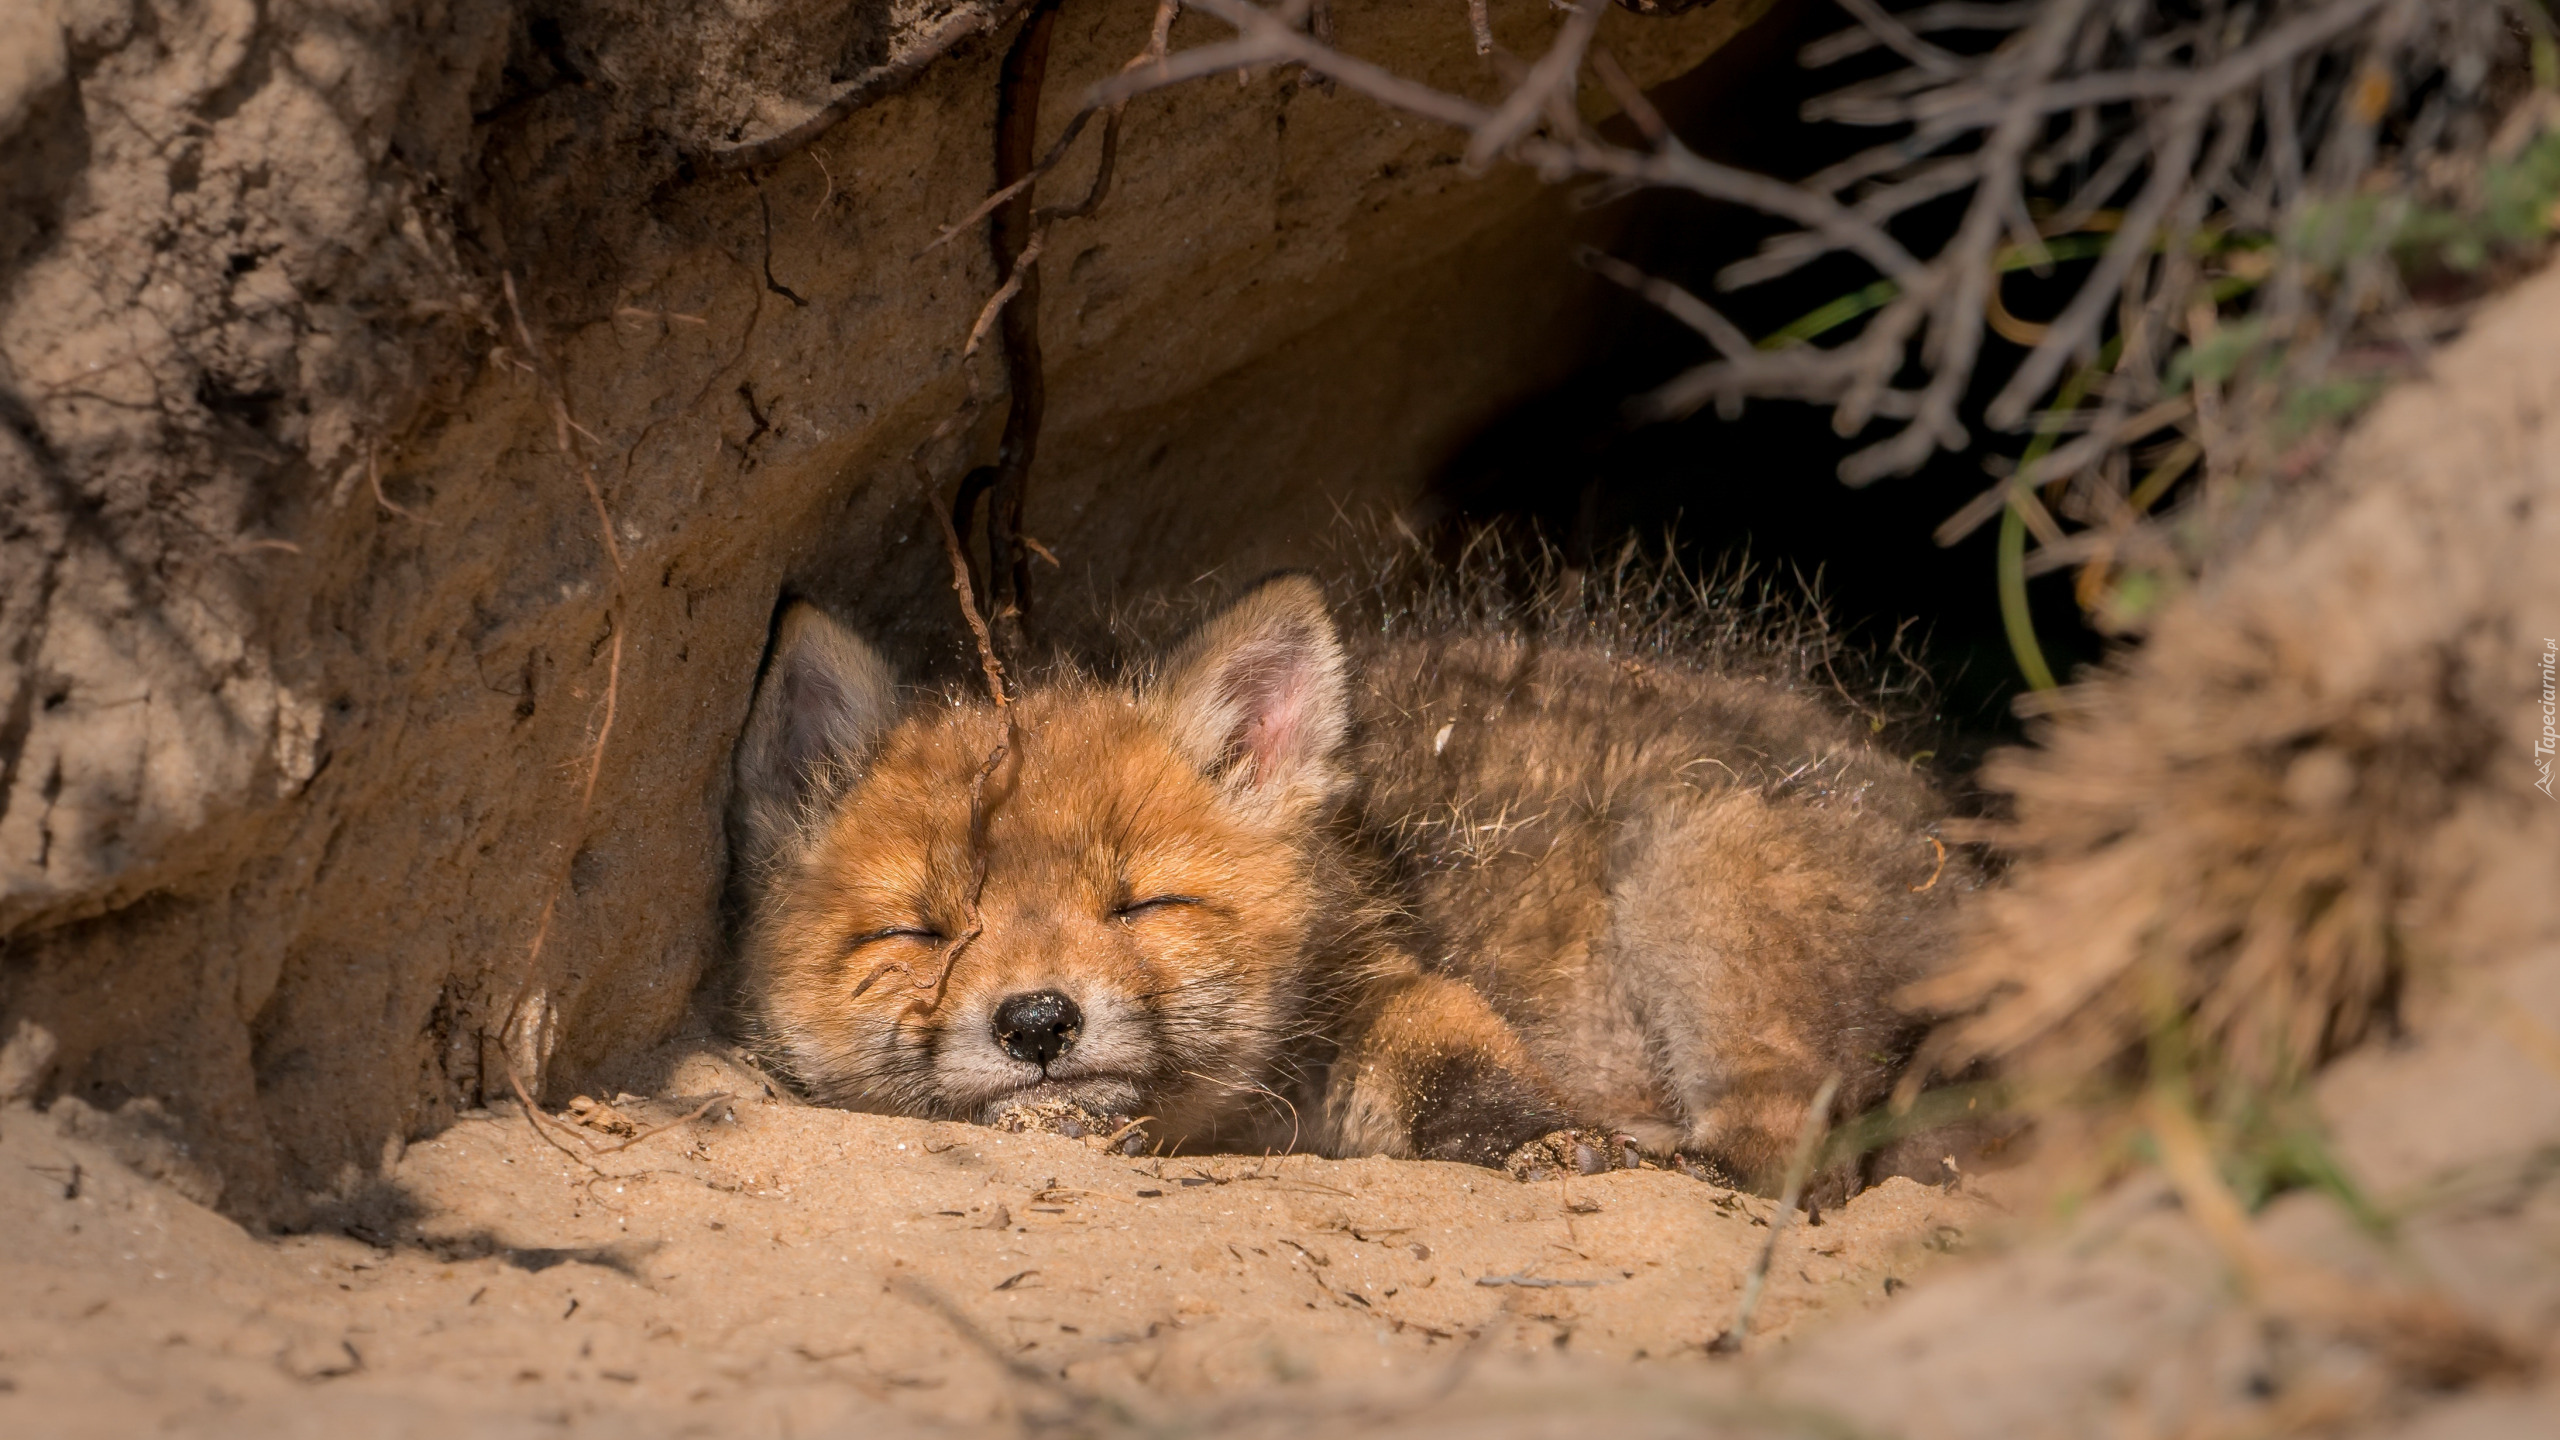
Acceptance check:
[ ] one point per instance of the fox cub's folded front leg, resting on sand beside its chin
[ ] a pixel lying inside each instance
(1435, 1075)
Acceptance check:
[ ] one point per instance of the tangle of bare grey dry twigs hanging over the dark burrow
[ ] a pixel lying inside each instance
(2129, 137)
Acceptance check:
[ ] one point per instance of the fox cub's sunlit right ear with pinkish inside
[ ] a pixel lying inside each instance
(1261, 698)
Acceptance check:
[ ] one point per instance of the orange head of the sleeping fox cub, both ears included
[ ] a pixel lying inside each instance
(1105, 901)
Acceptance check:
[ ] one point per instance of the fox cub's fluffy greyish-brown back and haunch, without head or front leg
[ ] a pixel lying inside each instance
(1688, 893)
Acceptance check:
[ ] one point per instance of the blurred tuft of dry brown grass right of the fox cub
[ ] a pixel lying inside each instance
(2218, 842)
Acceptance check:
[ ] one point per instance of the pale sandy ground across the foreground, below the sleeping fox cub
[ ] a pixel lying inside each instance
(777, 1270)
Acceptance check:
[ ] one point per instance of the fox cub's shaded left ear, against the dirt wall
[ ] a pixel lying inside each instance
(823, 701)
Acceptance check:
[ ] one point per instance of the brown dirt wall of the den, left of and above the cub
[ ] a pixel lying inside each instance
(372, 639)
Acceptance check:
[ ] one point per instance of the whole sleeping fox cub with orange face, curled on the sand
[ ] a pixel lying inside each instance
(1448, 898)
